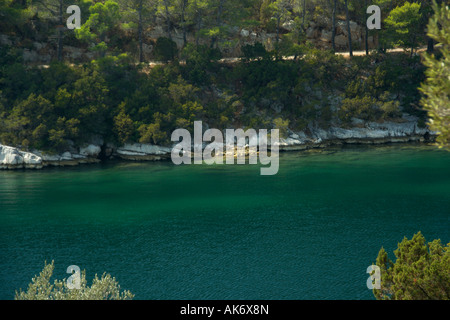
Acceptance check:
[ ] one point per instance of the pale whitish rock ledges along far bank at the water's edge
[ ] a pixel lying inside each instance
(370, 133)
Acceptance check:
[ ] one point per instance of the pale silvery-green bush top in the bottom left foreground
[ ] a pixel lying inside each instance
(41, 288)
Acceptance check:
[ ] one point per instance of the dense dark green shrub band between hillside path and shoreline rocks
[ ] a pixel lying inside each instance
(60, 106)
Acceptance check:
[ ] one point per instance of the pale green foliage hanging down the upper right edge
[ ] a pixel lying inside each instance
(437, 85)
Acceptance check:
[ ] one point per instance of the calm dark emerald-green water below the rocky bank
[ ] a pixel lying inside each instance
(225, 232)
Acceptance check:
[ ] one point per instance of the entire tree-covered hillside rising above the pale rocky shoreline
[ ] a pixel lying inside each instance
(97, 82)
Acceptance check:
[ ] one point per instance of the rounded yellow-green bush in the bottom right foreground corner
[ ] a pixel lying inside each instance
(421, 271)
